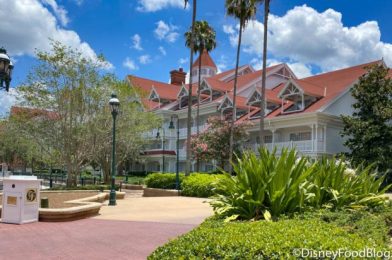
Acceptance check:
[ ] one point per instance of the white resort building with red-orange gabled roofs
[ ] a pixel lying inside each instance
(302, 113)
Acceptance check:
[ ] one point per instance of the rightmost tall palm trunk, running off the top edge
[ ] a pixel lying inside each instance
(263, 80)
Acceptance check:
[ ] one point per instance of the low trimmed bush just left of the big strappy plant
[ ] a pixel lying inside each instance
(200, 185)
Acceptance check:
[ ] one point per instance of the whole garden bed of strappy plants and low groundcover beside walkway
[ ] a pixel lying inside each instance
(289, 207)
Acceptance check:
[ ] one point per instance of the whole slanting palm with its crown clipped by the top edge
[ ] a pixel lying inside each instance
(244, 10)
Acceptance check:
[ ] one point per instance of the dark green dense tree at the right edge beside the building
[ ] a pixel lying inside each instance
(369, 129)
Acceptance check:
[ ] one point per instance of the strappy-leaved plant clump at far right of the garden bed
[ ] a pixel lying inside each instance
(335, 185)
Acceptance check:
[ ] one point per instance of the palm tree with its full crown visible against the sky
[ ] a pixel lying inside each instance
(204, 40)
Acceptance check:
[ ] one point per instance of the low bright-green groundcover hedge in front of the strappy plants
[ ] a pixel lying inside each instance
(319, 231)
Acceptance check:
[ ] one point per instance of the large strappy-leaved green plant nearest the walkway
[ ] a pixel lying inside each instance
(264, 186)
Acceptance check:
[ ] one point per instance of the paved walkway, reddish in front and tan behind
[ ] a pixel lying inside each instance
(130, 230)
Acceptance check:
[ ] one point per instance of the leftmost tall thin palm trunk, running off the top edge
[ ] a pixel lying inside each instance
(189, 126)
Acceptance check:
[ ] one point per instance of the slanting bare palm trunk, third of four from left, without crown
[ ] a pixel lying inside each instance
(235, 98)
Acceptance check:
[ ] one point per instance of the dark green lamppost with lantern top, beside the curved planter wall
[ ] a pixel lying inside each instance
(114, 106)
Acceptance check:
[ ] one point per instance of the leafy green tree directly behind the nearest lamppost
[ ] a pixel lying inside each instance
(132, 123)
